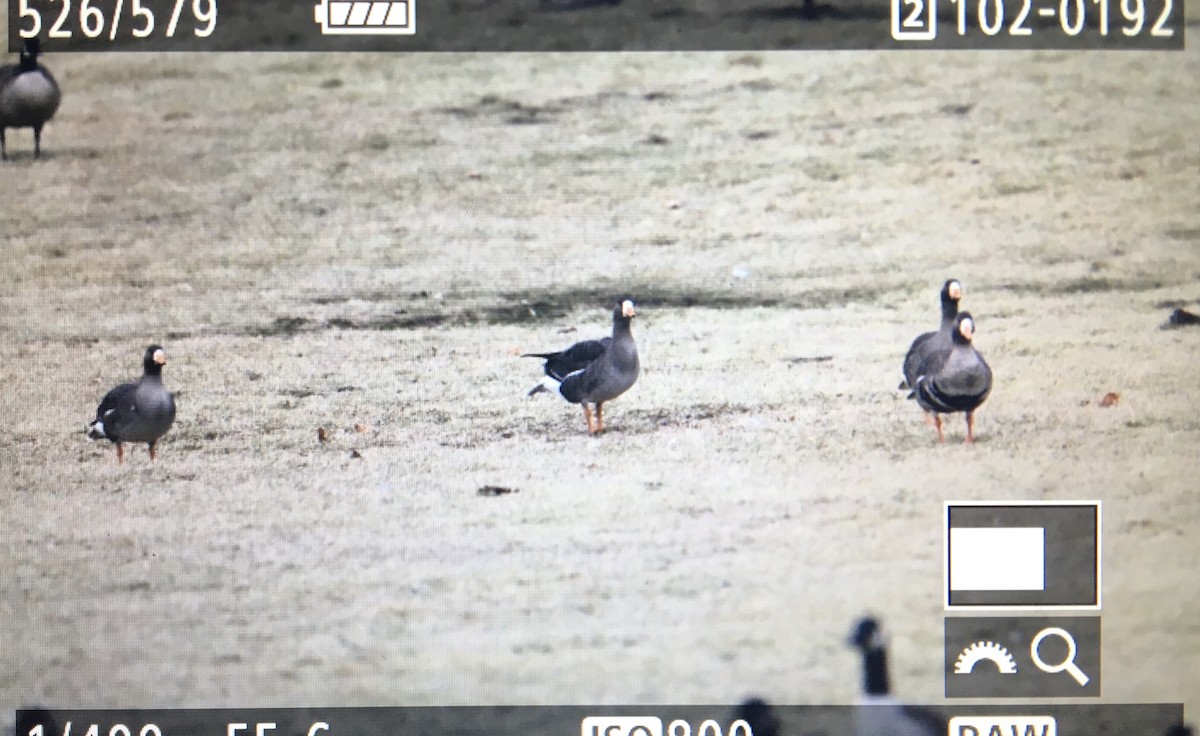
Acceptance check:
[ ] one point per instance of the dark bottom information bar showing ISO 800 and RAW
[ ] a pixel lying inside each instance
(752, 719)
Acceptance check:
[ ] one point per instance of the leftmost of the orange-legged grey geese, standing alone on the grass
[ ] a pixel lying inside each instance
(137, 412)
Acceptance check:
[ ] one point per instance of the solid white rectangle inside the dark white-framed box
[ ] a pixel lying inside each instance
(998, 559)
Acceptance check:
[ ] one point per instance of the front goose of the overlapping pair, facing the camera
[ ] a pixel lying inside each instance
(956, 380)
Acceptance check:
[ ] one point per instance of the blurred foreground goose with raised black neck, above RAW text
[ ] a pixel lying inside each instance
(879, 714)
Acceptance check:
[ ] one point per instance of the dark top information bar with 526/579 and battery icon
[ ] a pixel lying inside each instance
(593, 26)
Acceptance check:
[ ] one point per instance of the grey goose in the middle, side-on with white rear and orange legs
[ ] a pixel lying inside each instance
(595, 372)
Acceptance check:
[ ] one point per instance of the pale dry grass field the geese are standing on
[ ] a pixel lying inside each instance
(365, 243)
